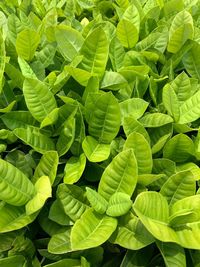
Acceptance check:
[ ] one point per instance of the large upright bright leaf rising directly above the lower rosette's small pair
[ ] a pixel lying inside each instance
(119, 176)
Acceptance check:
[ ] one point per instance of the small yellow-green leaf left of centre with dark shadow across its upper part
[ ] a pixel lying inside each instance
(74, 169)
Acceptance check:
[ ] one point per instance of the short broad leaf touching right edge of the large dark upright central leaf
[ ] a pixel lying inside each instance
(134, 107)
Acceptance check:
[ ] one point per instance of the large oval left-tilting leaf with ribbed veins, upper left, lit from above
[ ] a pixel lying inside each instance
(39, 100)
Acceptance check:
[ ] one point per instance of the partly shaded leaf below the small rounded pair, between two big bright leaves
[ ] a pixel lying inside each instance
(131, 233)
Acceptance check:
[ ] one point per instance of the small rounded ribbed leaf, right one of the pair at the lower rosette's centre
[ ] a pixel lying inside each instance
(118, 205)
